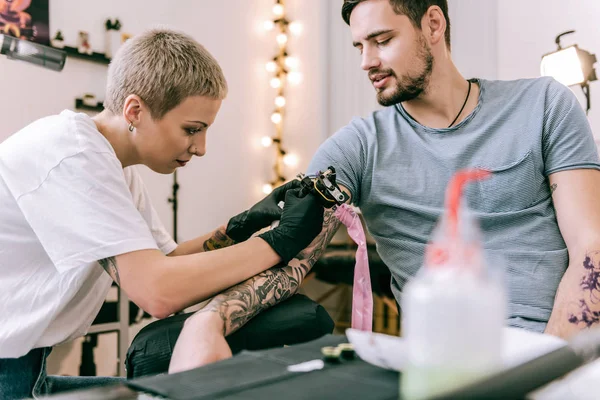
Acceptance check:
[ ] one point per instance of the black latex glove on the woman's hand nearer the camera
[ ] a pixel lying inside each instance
(301, 222)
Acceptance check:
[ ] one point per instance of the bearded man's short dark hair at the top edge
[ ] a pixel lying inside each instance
(413, 9)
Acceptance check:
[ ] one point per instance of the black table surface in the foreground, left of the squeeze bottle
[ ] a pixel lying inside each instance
(261, 375)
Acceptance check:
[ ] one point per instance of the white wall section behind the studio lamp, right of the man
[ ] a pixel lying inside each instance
(527, 29)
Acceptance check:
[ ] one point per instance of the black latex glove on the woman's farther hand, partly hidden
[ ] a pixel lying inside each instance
(260, 215)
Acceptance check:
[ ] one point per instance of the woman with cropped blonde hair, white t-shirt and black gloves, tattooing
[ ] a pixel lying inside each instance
(70, 202)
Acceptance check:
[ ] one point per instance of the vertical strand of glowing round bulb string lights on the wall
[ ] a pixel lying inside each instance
(283, 67)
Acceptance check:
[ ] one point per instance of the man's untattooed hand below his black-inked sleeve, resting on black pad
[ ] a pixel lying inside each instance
(201, 342)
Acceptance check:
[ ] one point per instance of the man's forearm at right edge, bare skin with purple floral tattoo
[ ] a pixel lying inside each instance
(577, 302)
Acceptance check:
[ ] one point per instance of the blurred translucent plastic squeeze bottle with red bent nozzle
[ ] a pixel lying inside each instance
(453, 310)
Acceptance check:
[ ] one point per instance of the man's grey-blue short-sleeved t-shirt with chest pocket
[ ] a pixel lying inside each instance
(397, 171)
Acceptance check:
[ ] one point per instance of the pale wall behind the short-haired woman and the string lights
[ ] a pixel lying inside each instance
(229, 178)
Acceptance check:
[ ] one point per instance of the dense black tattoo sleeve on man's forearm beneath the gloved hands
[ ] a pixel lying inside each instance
(239, 304)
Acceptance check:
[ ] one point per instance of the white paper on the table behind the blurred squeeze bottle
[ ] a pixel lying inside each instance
(389, 352)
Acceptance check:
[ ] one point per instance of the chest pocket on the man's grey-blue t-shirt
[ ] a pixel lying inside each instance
(512, 187)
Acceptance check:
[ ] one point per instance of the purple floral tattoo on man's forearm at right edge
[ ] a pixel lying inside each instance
(590, 285)
